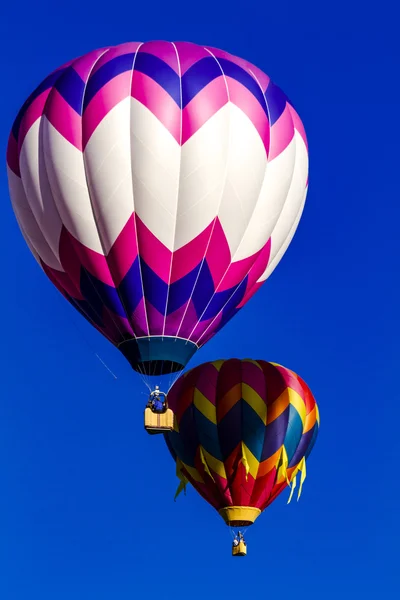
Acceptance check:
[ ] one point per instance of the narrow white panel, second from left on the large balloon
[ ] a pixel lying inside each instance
(37, 189)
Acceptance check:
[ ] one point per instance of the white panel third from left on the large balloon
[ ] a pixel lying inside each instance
(66, 171)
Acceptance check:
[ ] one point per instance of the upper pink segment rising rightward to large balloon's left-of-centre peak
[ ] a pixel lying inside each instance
(105, 100)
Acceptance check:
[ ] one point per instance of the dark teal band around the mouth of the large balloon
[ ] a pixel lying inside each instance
(158, 355)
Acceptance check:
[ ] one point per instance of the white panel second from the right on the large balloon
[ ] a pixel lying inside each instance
(270, 205)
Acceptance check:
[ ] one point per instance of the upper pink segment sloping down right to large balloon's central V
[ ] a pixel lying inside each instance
(158, 101)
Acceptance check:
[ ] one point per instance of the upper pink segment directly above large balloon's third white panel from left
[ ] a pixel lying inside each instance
(64, 118)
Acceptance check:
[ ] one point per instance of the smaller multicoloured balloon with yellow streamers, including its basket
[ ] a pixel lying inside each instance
(243, 432)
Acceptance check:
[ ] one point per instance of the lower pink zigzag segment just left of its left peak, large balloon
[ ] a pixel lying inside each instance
(123, 252)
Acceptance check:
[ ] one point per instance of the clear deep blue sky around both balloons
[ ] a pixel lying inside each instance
(86, 497)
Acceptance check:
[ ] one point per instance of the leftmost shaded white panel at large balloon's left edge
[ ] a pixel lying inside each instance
(28, 225)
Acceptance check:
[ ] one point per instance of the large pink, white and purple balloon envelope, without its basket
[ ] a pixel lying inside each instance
(157, 185)
